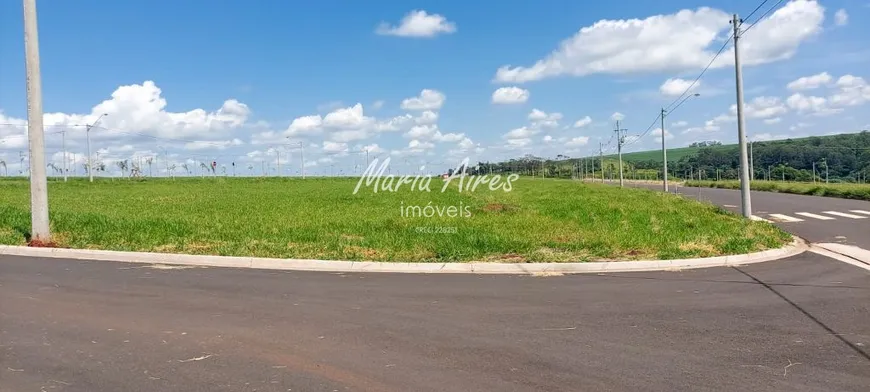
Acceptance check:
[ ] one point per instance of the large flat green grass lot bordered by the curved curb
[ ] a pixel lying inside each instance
(539, 221)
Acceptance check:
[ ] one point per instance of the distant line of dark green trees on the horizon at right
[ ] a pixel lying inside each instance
(840, 158)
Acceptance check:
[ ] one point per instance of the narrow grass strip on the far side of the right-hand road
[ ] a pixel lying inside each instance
(840, 190)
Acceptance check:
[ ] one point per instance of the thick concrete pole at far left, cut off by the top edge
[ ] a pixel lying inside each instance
(40, 230)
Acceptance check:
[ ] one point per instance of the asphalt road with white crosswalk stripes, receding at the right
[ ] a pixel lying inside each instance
(834, 228)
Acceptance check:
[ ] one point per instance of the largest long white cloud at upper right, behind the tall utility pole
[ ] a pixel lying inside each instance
(682, 41)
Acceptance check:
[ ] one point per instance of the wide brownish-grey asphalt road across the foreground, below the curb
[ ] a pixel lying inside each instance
(801, 324)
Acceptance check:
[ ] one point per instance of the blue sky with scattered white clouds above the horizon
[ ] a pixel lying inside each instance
(234, 75)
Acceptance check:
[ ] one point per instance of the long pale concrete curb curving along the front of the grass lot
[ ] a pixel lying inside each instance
(796, 247)
